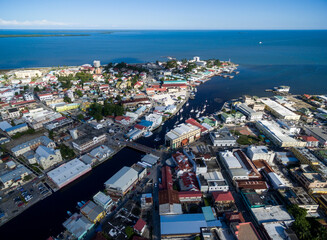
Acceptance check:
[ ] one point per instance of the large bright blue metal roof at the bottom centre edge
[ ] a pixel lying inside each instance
(182, 224)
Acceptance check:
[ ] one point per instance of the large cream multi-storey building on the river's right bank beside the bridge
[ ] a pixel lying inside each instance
(182, 135)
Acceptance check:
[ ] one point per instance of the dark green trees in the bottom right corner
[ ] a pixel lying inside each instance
(306, 228)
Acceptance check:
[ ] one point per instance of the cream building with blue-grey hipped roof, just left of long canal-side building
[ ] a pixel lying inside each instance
(47, 157)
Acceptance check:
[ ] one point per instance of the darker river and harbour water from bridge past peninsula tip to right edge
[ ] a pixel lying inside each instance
(252, 80)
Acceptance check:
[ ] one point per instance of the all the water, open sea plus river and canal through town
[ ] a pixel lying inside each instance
(294, 58)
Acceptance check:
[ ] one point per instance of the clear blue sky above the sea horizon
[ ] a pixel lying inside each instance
(168, 14)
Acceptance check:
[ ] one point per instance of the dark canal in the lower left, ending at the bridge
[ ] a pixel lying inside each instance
(45, 218)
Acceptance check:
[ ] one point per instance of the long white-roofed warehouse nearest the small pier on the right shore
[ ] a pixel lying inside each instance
(279, 110)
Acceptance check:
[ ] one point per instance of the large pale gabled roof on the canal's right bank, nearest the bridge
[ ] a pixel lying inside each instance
(122, 179)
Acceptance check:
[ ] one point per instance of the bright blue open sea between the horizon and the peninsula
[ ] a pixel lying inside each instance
(277, 48)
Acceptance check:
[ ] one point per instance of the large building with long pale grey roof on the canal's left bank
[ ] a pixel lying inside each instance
(68, 172)
